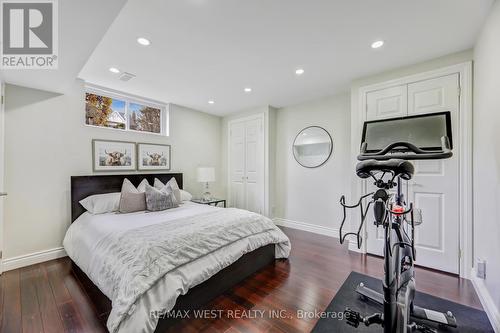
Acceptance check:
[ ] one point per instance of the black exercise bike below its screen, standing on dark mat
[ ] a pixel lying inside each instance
(388, 168)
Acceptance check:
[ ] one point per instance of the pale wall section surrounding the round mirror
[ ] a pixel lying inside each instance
(305, 195)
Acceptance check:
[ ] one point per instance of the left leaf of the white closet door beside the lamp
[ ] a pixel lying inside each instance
(237, 165)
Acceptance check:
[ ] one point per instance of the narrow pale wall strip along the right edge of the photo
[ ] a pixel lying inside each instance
(486, 158)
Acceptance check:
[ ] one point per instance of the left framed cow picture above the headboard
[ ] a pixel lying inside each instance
(113, 155)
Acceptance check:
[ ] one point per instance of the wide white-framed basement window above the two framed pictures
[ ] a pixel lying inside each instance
(121, 112)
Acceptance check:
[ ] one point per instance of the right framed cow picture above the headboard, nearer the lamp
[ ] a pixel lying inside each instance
(153, 156)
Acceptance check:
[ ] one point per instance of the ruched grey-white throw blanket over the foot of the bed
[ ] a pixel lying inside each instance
(128, 264)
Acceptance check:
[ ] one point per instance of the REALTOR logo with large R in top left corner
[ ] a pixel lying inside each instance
(29, 34)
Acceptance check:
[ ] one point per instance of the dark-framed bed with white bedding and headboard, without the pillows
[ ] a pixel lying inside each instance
(138, 266)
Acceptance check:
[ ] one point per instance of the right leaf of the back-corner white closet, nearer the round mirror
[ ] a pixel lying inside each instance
(254, 141)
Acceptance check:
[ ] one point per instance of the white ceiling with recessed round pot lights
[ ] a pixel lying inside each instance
(212, 49)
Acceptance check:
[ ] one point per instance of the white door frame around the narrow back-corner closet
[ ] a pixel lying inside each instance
(262, 117)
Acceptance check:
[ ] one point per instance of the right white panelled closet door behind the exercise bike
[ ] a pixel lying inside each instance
(435, 184)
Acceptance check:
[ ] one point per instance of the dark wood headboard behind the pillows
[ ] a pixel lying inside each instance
(83, 186)
